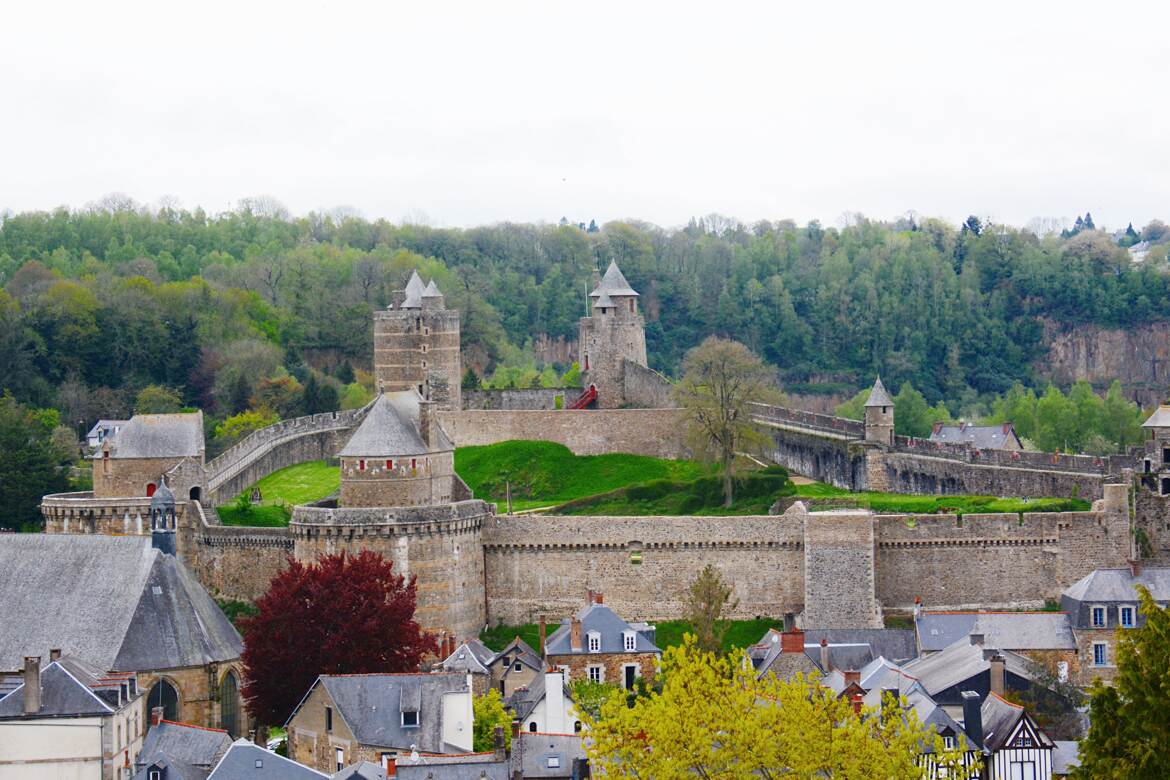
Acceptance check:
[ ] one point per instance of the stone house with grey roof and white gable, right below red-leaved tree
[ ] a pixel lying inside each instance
(349, 719)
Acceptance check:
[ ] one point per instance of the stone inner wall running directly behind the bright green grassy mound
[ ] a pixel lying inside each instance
(643, 432)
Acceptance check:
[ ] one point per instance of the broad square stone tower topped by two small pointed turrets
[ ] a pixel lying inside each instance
(416, 346)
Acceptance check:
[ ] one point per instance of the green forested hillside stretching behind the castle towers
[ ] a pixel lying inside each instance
(102, 302)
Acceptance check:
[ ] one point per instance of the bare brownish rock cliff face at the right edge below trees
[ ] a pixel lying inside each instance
(1140, 358)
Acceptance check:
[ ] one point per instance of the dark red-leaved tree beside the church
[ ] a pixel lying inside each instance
(342, 616)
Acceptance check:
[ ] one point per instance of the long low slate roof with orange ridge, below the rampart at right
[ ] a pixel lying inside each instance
(1009, 631)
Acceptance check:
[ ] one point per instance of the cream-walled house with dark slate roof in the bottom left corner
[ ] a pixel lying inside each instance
(70, 720)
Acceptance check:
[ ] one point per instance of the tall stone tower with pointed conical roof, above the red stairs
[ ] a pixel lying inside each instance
(611, 337)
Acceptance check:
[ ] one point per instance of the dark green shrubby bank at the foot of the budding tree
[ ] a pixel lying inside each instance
(754, 494)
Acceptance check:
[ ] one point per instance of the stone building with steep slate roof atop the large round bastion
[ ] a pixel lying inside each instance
(400, 457)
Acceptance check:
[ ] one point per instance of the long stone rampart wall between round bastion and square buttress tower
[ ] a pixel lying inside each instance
(545, 565)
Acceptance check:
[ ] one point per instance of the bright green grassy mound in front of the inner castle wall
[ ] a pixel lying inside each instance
(543, 474)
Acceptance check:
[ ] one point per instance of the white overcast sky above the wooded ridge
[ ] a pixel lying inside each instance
(485, 112)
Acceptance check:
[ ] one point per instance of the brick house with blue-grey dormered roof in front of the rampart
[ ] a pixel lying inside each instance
(597, 645)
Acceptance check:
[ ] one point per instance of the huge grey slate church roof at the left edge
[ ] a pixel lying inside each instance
(115, 602)
